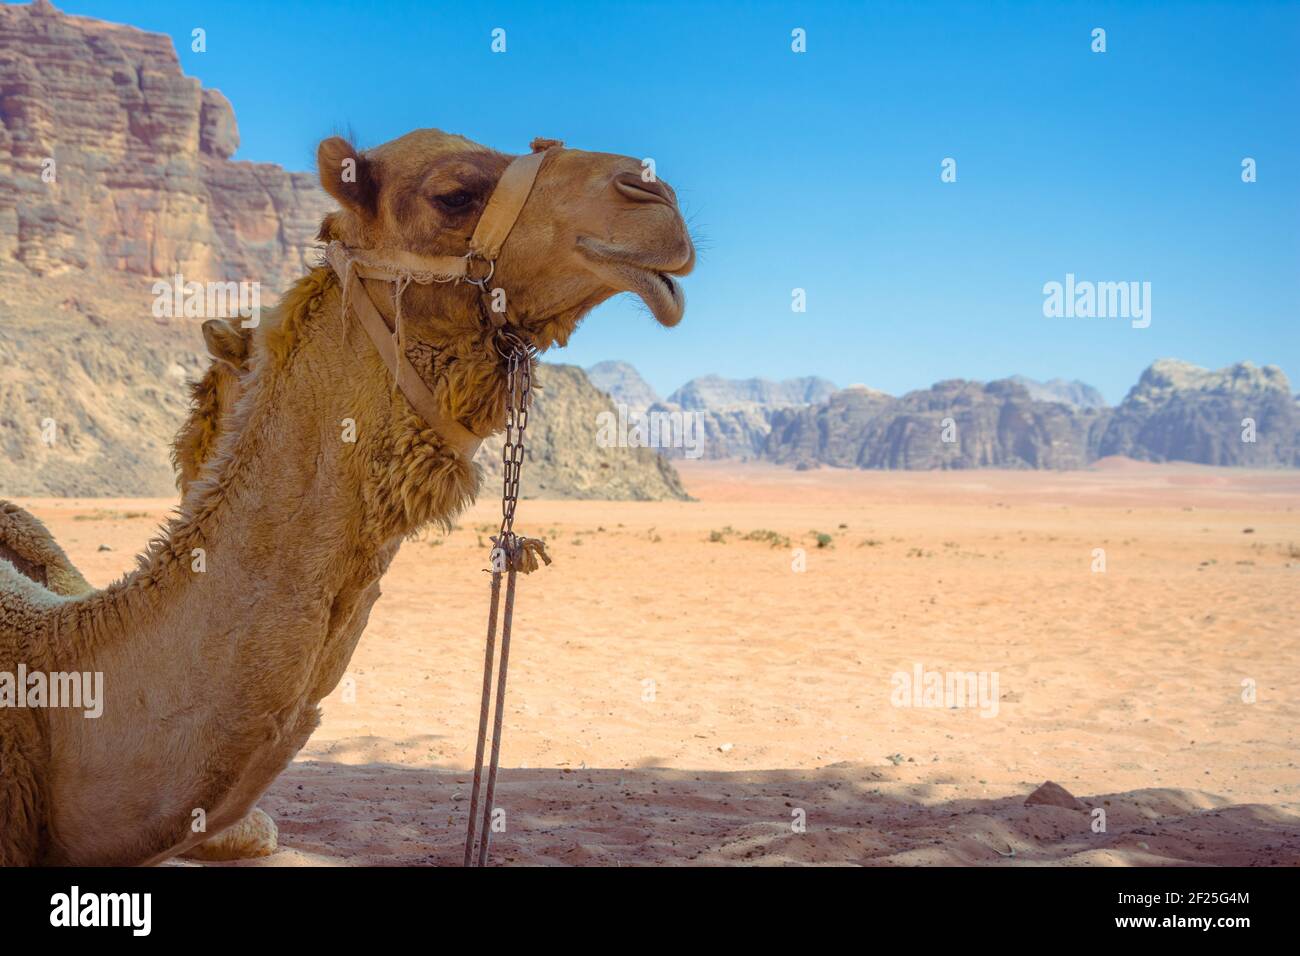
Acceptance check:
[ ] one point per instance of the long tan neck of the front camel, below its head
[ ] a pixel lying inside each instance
(218, 651)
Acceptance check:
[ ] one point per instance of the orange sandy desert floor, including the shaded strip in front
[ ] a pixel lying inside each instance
(677, 699)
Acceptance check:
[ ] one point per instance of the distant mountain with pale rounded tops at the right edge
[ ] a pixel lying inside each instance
(1178, 412)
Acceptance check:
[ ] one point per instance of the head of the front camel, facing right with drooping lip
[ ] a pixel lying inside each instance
(592, 227)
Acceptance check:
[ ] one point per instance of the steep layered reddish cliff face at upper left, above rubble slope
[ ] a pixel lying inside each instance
(116, 161)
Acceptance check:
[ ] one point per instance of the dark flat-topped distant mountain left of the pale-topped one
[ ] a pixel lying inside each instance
(952, 425)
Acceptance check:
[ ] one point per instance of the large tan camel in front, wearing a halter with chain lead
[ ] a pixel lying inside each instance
(213, 677)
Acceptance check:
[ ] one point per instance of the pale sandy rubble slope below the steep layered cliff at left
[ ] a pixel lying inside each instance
(92, 388)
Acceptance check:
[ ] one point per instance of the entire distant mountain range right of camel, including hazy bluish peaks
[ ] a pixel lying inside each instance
(1241, 416)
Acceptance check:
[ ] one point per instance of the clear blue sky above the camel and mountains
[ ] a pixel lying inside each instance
(822, 171)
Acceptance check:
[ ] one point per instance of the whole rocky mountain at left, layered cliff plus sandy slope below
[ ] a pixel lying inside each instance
(118, 175)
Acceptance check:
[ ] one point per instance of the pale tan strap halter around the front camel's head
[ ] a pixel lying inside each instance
(404, 269)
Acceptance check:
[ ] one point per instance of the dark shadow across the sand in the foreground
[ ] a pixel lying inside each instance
(387, 815)
